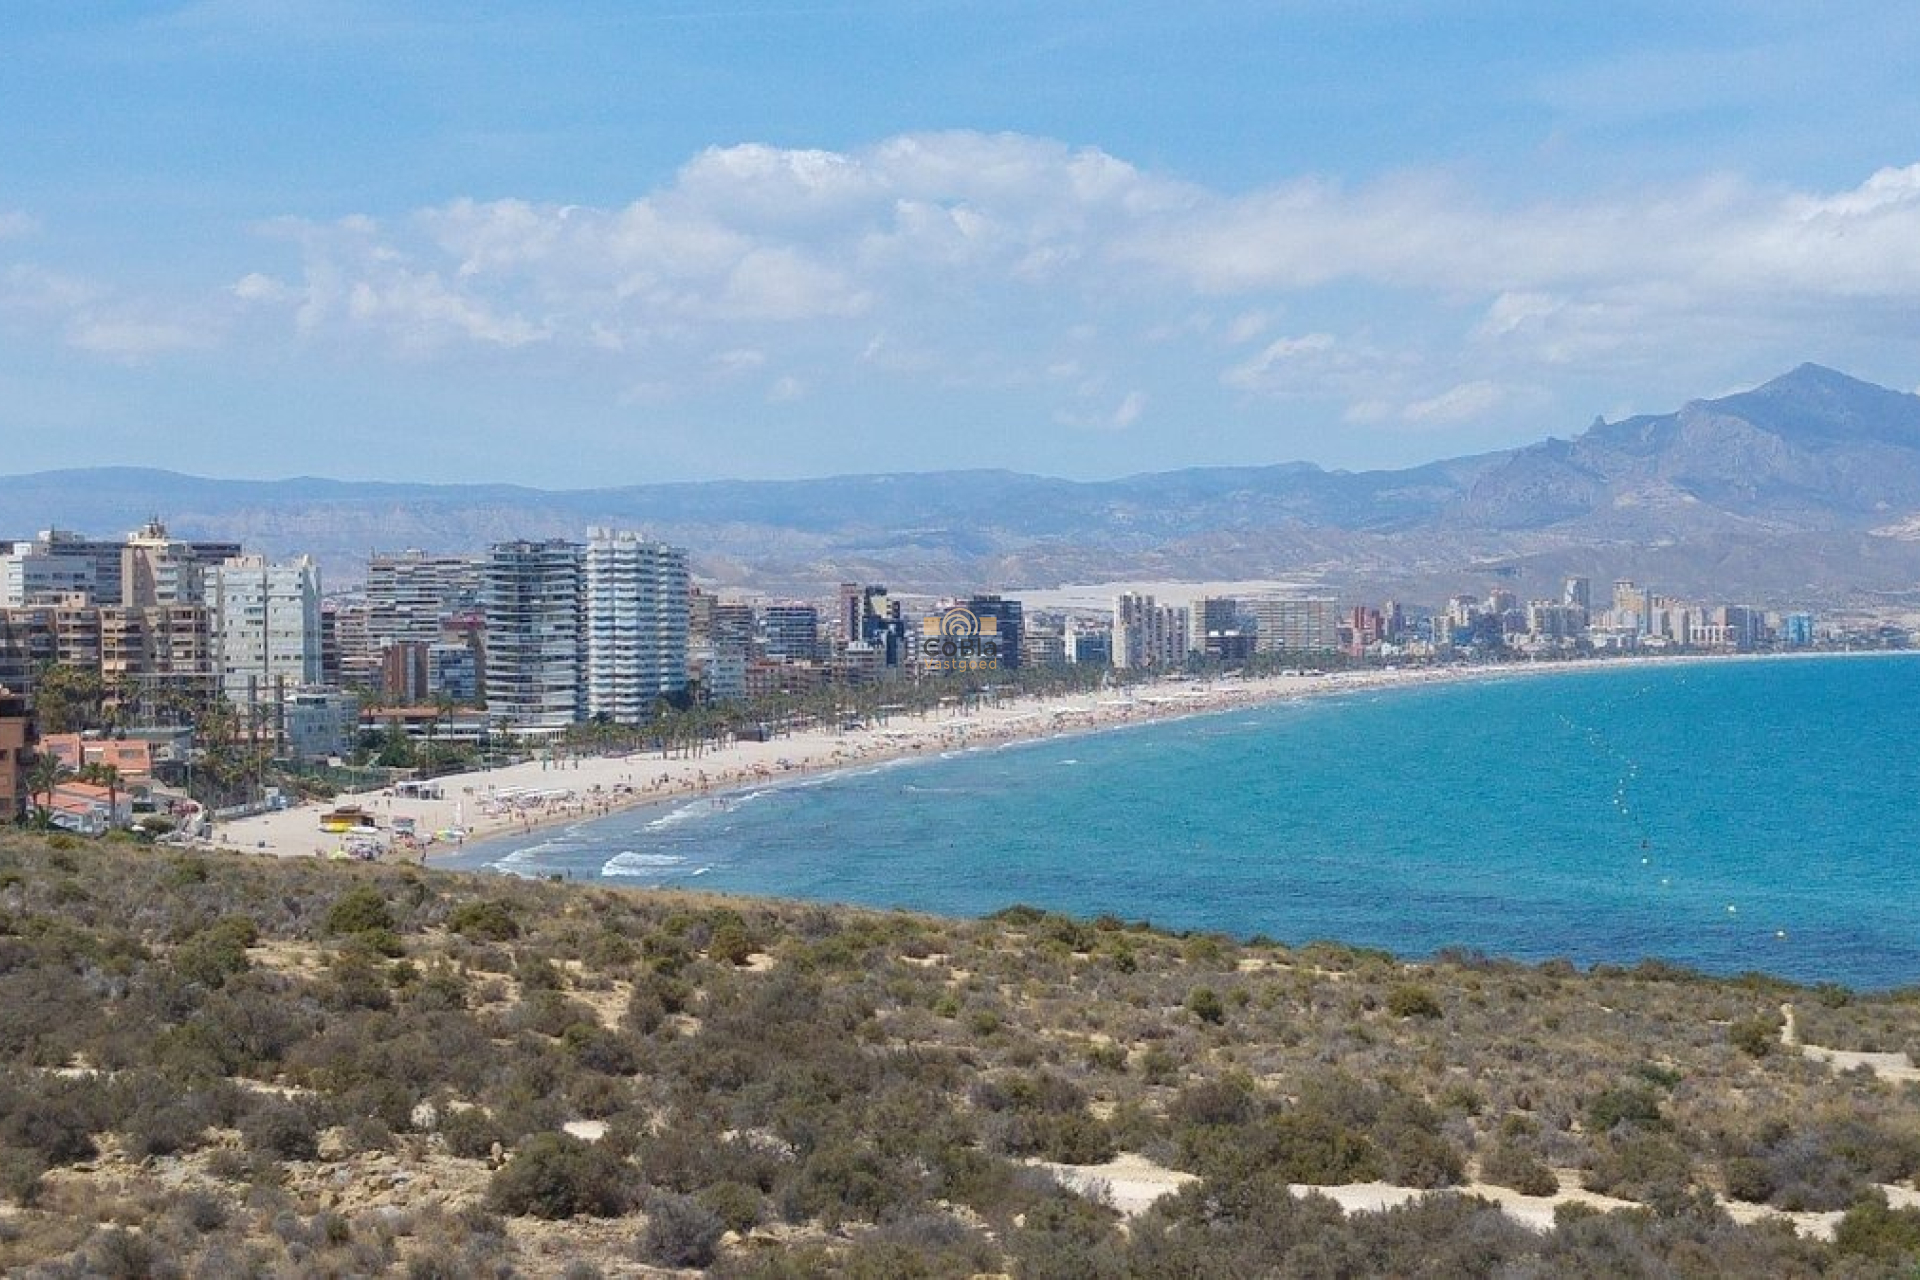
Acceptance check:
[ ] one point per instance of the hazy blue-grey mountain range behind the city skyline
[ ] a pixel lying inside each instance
(1802, 490)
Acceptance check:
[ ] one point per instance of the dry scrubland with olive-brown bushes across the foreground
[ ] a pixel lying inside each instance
(235, 1066)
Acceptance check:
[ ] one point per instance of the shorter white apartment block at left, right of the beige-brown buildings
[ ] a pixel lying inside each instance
(266, 628)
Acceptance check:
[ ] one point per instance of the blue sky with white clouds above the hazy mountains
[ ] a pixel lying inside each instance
(617, 243)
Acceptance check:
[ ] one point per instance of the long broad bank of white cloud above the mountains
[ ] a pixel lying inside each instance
(957, 254)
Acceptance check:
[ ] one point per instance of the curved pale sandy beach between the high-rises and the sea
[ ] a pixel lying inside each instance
(489, 807)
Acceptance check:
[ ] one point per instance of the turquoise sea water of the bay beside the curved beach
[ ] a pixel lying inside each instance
(1727, 817)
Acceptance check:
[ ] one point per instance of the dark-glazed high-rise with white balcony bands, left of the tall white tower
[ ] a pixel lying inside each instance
(533, 596)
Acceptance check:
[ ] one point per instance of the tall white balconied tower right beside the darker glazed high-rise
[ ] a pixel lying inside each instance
(636, 625)
